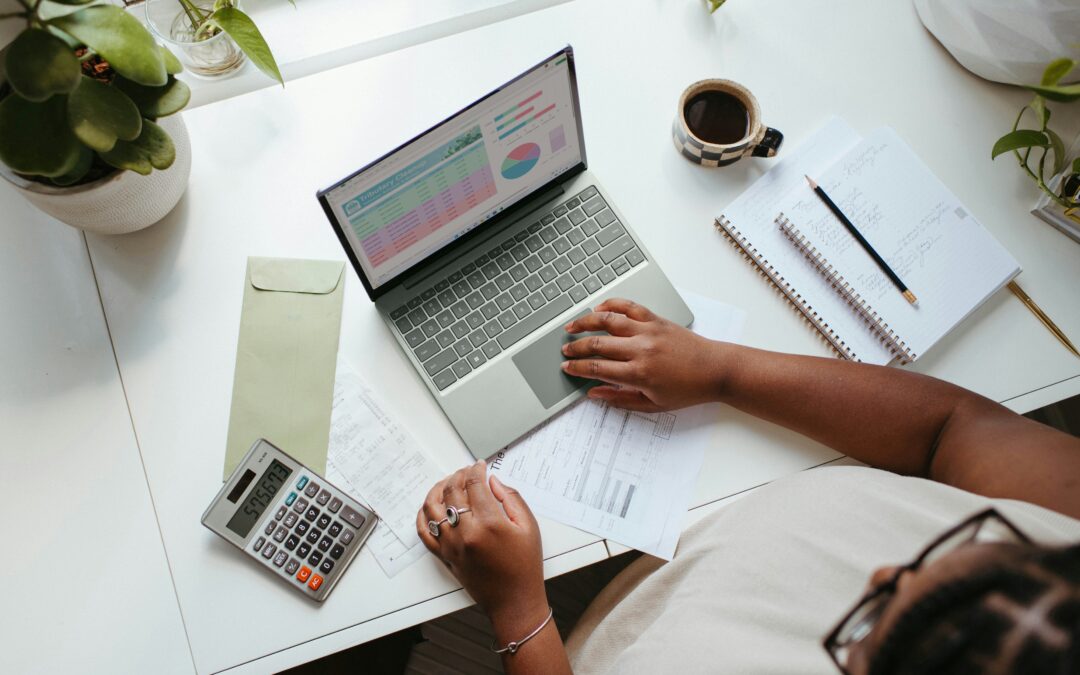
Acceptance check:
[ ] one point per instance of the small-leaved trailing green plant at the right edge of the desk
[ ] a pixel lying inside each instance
(1038, 148)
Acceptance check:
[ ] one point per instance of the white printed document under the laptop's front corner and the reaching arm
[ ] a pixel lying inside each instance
(626, 477)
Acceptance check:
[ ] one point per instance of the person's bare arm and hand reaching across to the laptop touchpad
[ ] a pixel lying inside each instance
(886, 417)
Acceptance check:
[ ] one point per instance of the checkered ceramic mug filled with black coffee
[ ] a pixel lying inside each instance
(720, 123)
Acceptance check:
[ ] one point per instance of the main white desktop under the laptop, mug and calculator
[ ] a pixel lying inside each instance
(173, 293)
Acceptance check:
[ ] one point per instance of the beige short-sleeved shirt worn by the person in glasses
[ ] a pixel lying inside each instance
(757, 587)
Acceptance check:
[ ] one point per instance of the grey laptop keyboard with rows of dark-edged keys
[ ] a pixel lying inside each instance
(471, 316)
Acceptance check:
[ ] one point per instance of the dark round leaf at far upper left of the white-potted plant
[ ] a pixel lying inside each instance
(39, 65)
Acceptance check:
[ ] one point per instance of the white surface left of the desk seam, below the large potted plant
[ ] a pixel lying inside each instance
(87, 580)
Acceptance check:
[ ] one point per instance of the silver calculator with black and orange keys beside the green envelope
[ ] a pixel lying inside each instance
(289, 519)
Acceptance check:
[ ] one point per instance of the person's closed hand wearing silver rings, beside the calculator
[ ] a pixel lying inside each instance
(494, 551)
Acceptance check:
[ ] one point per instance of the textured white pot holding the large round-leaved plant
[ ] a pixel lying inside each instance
(119, 204)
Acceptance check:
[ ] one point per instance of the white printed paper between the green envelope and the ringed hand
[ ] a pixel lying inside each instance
(380, 463)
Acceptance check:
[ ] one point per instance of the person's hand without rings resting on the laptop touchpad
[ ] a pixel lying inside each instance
(650, 363)
